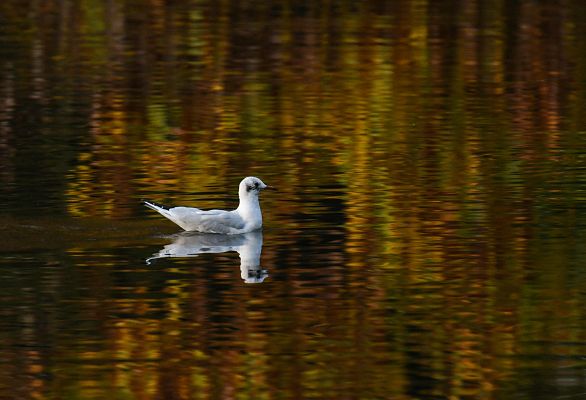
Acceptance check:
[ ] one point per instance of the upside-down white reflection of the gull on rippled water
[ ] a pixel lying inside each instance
(248, 245)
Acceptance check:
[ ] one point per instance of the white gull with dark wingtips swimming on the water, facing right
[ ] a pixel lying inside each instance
(246, 218)
